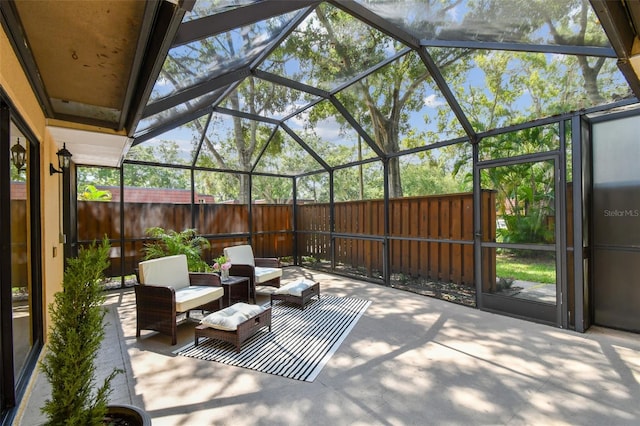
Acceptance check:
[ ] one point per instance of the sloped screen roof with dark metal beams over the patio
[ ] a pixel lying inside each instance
(294, 87)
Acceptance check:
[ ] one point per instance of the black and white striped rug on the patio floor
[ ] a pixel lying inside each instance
(300, 342)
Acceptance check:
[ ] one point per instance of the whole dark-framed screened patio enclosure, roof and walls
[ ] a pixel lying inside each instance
(436, 146)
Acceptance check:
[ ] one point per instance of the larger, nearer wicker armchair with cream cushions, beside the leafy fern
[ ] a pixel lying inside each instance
(165, 290)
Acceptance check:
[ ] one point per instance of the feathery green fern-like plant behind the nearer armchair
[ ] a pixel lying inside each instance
(171, 242)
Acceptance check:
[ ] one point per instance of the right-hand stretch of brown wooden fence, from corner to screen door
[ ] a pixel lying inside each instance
(445, 221)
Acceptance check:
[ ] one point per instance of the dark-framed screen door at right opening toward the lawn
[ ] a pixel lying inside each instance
(520, 238)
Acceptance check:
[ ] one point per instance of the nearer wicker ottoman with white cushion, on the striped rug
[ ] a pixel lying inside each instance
(234, 324)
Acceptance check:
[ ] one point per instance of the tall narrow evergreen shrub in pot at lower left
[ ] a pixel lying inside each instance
(75, 337)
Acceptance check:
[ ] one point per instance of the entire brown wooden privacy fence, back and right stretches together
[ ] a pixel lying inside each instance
(428, 236)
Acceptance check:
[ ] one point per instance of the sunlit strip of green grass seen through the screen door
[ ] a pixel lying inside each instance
(535, 268)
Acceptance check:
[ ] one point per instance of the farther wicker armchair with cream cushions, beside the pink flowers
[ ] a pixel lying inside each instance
(261, 271)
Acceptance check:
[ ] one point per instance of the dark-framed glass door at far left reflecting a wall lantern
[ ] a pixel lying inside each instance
(20, 279)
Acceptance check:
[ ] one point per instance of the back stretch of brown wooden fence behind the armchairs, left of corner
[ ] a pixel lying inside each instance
(272, 225)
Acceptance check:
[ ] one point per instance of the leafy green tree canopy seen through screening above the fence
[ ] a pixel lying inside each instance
(334, 92)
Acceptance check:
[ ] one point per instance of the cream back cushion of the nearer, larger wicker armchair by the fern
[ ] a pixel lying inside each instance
(169, 271)
